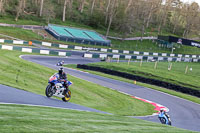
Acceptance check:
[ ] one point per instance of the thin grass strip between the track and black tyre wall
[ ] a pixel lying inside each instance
(171, 92)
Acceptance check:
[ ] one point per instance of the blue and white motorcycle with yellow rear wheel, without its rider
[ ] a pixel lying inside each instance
(56, 88)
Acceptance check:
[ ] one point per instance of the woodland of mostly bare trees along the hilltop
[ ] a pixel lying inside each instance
(124, 16)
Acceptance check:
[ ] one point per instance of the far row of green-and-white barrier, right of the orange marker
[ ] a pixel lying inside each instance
(118, 51)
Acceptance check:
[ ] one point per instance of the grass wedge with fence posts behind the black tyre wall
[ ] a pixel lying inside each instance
(176, 75)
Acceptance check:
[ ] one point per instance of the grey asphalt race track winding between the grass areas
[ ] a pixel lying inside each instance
(184, 114)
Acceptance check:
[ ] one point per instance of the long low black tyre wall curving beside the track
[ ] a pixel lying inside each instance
(167, 85)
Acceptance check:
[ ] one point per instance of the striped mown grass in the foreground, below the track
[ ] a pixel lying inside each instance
(19, 118)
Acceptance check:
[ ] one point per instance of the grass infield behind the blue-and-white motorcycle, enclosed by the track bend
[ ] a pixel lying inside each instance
(32, 77)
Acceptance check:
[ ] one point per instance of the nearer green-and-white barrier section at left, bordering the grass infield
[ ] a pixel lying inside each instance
(35, 50)
